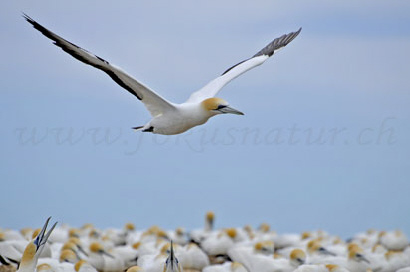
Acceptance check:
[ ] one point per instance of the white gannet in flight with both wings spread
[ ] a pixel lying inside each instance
(169, 118)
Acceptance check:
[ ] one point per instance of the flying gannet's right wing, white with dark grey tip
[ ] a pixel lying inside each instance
(213, 87)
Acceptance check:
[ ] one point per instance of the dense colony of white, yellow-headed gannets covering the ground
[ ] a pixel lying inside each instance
(62, 248)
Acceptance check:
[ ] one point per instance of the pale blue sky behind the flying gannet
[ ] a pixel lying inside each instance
(324, 142)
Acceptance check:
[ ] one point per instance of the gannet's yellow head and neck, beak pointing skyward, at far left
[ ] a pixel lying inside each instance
(34, 248)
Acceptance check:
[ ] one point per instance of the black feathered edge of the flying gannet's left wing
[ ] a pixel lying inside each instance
(62, 43)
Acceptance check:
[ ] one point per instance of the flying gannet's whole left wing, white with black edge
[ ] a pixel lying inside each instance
(153, 102)
